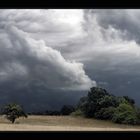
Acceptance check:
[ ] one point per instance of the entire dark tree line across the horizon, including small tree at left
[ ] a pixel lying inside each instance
(98, 104)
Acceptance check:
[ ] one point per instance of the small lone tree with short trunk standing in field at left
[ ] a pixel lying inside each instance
(13, 111)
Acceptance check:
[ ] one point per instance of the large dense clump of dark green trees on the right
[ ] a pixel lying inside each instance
(100, 104)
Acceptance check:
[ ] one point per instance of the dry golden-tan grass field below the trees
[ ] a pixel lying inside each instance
(62, 123)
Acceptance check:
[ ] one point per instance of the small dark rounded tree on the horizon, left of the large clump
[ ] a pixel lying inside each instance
(67, 110)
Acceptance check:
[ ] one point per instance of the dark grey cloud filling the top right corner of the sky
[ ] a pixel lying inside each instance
(125, 20)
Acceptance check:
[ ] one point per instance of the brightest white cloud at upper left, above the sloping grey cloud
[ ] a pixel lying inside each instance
(53, 26)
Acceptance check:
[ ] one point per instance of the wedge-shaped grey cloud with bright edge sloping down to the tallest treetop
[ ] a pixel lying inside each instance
(33, 61)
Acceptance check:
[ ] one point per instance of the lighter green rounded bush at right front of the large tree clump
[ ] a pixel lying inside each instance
(125, 114)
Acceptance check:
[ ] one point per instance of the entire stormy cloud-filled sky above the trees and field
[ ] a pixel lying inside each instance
(52, 57)
